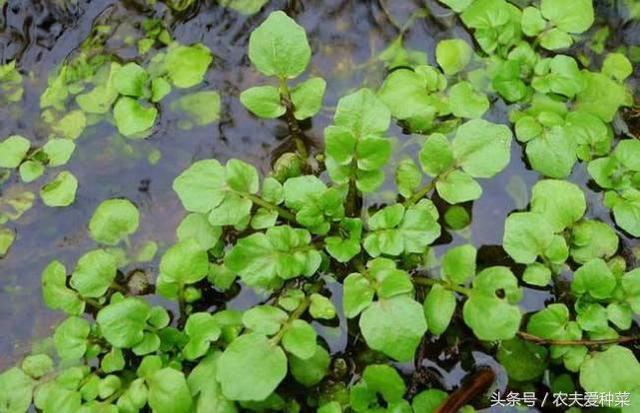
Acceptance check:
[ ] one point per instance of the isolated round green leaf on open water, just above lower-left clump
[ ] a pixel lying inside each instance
(113, 221)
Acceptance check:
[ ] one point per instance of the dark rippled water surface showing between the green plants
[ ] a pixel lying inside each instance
(345, 37)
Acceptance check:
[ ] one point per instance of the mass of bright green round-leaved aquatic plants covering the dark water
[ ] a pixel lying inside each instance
(300, 238)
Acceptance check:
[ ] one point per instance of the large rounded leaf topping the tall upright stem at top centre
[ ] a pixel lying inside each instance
(279, 47)
